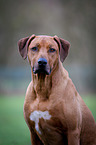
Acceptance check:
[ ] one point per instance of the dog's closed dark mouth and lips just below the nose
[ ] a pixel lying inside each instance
(41, 70)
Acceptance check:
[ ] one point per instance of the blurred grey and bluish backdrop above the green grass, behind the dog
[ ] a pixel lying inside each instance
(73, 20)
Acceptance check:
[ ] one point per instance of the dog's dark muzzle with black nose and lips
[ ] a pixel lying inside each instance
(42, 67)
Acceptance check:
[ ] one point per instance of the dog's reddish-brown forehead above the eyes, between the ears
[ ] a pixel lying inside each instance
(43, 41)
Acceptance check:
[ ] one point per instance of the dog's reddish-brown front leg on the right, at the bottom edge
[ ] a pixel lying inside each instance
(74, 137)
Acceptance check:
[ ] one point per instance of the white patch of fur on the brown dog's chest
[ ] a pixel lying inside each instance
(36, 115)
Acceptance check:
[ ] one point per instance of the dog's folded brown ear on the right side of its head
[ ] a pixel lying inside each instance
(63, 46)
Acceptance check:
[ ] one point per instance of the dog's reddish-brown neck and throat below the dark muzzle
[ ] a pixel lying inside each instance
(43, 84)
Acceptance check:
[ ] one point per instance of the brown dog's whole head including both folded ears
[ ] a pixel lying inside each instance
(43, 52)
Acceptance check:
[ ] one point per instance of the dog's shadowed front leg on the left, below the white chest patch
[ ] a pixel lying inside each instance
(35, 139)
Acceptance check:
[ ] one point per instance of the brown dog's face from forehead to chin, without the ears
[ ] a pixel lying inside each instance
(43, 54)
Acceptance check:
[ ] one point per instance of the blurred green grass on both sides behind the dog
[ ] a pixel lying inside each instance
(13, 129)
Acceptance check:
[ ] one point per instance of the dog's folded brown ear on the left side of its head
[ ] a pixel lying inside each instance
(23, 45)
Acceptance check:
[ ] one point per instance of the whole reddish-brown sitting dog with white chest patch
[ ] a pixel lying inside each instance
(53, 110)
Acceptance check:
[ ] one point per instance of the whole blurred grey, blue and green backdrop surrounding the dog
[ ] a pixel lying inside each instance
(73, 20)
